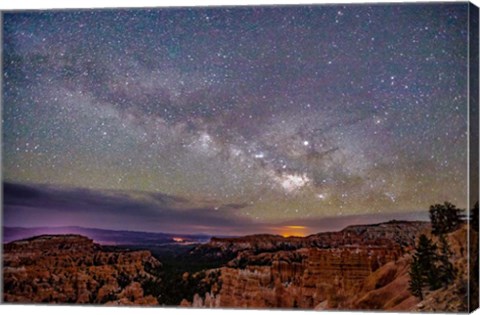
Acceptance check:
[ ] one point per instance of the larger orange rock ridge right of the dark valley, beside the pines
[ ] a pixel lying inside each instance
(321, 271)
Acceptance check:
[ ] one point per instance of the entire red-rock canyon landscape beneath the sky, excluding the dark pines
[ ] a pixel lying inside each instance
(360, 267)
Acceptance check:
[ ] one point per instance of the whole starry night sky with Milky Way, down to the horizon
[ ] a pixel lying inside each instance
(234, 120)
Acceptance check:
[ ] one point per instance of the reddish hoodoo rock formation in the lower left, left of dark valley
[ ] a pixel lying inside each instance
(72, 269)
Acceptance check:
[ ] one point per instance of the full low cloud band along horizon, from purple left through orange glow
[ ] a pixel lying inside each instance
(40, 205)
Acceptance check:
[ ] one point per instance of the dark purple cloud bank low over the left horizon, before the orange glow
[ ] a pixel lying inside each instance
(42, 205)
